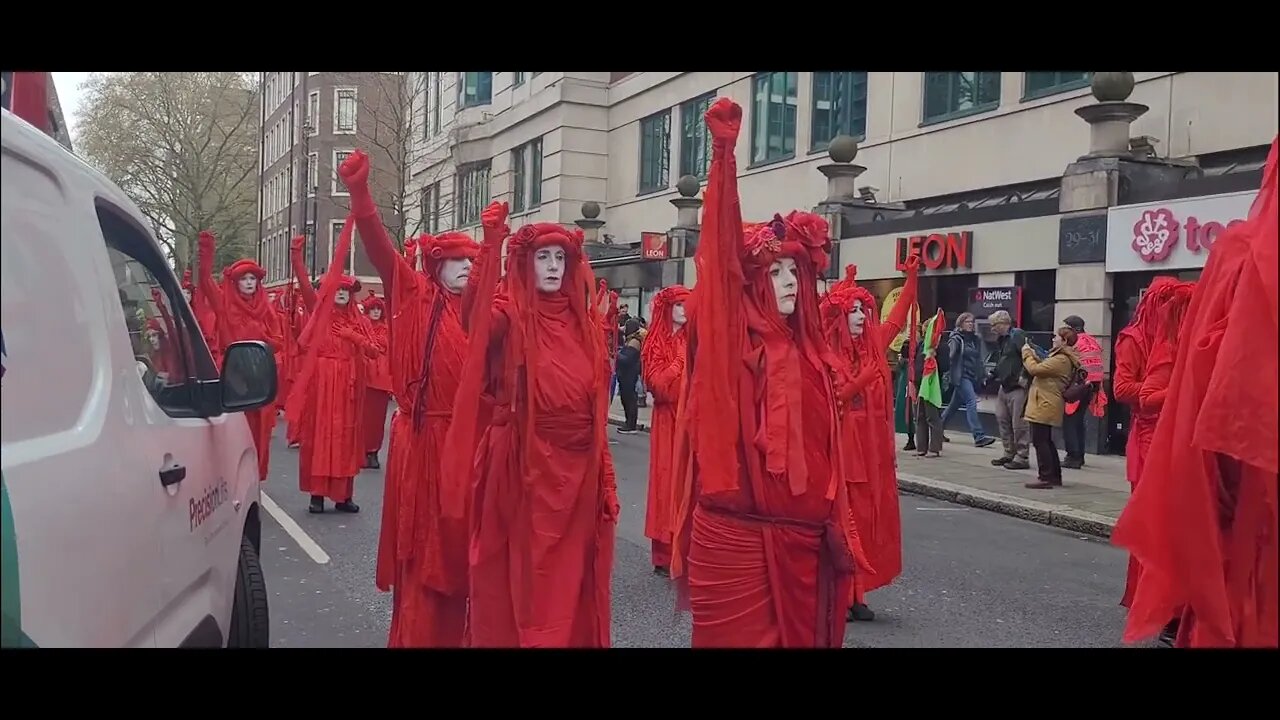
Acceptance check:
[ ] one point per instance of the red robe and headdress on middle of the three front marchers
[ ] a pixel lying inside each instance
(546, 500)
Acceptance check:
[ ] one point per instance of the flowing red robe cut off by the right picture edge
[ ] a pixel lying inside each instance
(1204, 522)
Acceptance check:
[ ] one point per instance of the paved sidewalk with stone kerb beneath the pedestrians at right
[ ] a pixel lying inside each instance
(1090, 500)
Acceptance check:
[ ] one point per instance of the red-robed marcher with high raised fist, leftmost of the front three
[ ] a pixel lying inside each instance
(422, 554)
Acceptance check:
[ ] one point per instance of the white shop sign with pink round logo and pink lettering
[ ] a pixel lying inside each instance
(1171, 235)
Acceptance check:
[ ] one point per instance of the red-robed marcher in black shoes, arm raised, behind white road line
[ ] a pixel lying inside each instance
(330, 391)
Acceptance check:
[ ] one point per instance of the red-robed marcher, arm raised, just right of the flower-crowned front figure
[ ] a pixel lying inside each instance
(856, 334)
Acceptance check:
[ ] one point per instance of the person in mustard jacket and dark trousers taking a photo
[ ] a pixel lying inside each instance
(1045, 403)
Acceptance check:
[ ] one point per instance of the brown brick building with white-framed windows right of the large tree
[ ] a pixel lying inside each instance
(310, 122)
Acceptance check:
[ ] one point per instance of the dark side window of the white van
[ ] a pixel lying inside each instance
(168, 349)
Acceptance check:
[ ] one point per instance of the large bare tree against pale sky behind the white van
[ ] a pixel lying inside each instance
(185, 148)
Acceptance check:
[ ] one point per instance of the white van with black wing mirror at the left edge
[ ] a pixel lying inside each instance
(131, 496)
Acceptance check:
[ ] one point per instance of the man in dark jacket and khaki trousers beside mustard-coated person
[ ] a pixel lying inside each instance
(1012, 400)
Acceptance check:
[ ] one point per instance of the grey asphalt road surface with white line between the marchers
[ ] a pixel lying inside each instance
(972, 578)
